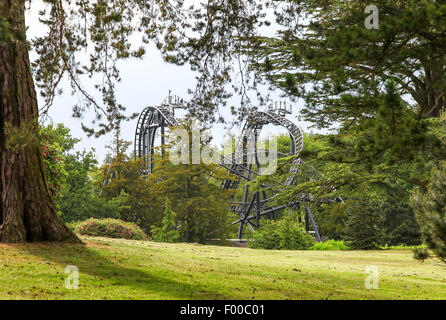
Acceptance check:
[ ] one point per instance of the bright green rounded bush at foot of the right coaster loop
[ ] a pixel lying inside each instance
(285, 234)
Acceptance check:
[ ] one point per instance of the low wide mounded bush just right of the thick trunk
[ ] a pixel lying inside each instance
(111, 228)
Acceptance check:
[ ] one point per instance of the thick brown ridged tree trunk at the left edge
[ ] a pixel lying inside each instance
(27, 212)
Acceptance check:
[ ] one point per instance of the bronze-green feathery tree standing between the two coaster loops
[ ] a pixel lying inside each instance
(201, 207)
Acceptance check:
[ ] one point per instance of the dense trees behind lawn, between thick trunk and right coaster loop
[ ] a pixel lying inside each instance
(120, 189)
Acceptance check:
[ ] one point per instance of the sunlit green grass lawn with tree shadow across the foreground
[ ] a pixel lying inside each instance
(125, 269)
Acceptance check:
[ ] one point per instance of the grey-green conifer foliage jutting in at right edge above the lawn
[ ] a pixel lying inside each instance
(430, 208)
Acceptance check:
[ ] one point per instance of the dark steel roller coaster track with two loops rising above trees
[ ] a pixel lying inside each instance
(244, 164)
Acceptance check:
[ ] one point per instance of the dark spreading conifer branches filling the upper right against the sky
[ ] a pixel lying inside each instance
(323, 51)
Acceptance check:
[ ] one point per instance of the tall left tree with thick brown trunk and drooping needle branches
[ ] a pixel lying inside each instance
(102, 30)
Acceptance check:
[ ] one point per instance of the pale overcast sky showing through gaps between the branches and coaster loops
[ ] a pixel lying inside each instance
(144, 83)
